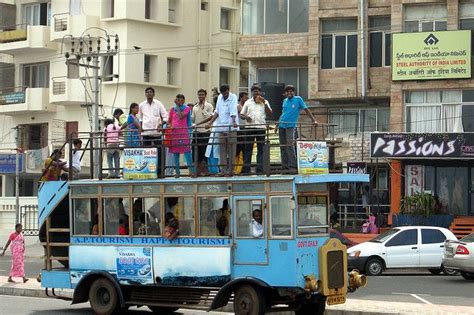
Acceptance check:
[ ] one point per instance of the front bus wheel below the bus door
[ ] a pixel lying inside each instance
(249, 301)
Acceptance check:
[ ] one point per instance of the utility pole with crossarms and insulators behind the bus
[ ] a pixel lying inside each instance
(89, 49)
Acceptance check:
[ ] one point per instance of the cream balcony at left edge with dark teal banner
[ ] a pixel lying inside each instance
(21, 99)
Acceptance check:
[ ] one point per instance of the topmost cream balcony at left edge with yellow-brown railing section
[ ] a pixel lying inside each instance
(21, 38)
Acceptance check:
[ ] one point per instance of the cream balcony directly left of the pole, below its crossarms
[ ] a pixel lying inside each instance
(66, 91)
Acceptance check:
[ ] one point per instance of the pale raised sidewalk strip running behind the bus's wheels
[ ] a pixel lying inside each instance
(352, 307)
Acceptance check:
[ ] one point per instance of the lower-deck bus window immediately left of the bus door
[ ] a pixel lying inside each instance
(214, 216)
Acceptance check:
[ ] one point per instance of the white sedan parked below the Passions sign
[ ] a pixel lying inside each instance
(402, 247)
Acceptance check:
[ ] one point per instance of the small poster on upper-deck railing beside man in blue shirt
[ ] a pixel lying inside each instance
(313, 157)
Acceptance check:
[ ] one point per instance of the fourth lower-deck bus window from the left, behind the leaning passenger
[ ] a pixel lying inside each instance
(183, 210)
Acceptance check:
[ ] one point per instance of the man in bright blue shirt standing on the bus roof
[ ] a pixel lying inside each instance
(290, 114)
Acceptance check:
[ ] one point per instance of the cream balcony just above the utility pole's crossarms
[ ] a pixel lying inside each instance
(68, 25)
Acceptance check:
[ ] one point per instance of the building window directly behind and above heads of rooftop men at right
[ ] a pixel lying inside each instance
(298, 77)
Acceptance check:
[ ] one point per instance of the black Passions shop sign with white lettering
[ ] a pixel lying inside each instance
(422, 145)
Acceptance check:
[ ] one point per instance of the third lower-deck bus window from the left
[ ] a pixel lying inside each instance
(146, 216)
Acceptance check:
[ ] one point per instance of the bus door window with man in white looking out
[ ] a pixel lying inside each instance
(249, 218)
